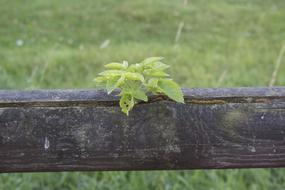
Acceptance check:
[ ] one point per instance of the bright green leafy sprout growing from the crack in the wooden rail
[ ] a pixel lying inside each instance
(136, 80)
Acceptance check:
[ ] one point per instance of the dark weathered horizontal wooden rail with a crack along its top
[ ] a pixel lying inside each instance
(66, 130)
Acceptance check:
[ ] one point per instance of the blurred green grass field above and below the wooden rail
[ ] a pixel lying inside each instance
(64, 43)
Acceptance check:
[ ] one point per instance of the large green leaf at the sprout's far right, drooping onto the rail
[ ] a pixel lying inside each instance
(171, 89)
